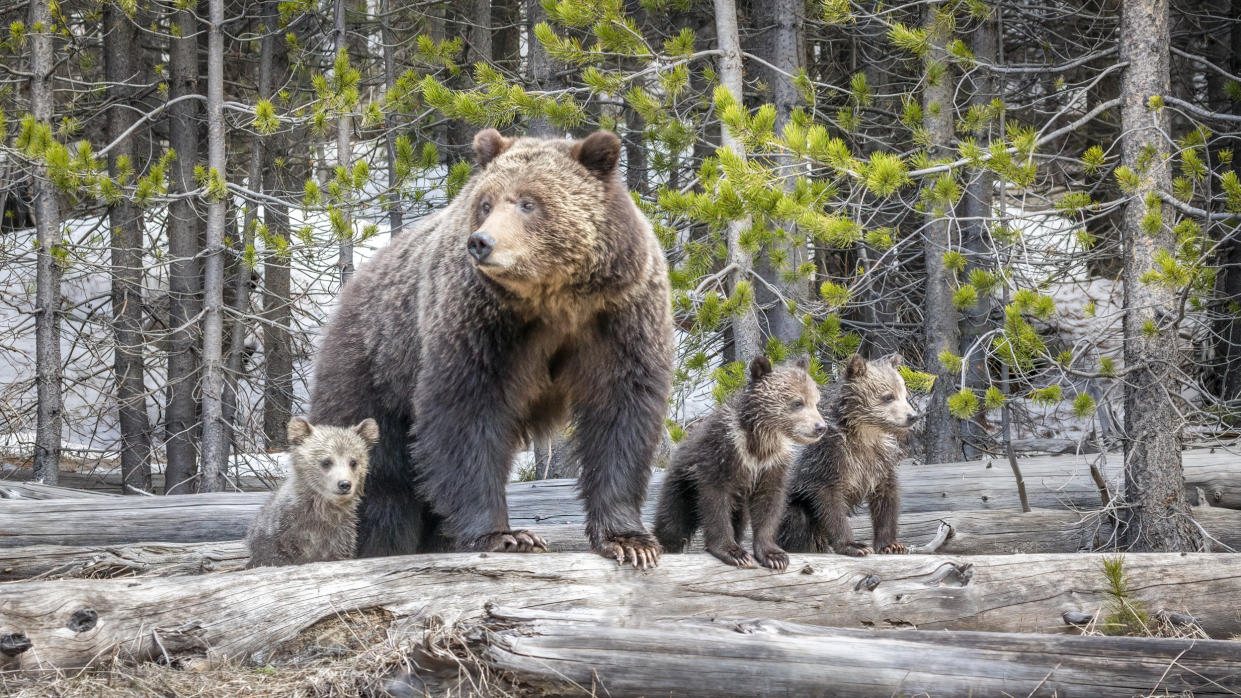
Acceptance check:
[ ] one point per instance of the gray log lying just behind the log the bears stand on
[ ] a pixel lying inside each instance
(974, 533)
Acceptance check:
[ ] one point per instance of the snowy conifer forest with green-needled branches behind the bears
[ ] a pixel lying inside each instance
(1037, 203)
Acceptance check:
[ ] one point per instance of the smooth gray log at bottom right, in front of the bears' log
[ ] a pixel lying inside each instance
(580, 654)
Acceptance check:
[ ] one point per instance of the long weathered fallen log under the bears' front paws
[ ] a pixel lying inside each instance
(84, 623)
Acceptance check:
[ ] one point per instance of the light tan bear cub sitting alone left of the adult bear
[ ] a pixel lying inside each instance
(313, 516)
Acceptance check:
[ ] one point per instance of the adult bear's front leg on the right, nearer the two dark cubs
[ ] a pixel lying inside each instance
(620, 391)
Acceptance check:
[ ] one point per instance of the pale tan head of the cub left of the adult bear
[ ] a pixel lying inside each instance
(332, 461)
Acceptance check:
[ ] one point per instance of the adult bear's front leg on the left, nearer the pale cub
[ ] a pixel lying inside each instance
(464, 438)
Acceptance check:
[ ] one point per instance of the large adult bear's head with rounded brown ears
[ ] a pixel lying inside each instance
(553, 214)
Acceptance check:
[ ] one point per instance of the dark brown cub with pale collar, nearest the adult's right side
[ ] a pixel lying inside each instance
(737, 464)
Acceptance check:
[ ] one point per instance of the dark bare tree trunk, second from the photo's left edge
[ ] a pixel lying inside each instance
(127, 260)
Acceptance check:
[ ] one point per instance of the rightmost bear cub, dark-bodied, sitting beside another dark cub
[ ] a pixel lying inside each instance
(867, 413)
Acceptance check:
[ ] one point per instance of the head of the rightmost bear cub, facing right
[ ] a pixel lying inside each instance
(874, 394)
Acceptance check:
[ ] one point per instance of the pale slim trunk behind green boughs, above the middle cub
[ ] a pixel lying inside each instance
(748, 340)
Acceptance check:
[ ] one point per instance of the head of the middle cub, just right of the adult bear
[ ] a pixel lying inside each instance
(784, 401)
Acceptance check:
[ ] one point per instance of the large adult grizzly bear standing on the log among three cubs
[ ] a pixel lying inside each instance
(538, 296)
